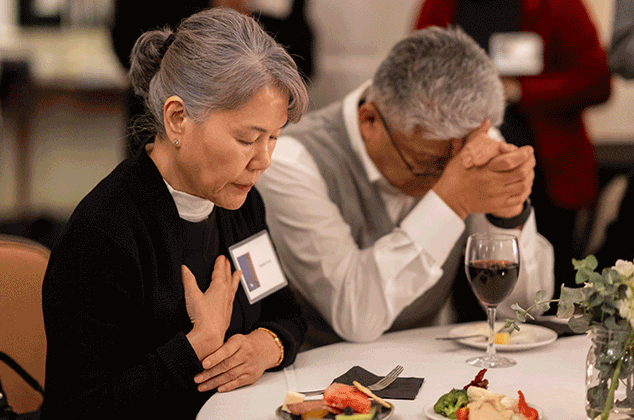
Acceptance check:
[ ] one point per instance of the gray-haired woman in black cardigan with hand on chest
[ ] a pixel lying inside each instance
(145, 315)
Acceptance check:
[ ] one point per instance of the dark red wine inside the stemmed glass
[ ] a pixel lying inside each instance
(492, 280)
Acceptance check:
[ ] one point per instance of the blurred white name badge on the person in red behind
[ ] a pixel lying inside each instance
(517, 53)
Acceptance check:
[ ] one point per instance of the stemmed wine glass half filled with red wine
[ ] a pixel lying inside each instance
(492, 262)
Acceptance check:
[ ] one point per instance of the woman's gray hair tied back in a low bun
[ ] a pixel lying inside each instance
(219, 59)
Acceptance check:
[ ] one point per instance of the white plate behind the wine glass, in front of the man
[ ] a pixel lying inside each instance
(528, 337)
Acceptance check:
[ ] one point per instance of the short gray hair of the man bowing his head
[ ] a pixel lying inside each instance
(441, 80)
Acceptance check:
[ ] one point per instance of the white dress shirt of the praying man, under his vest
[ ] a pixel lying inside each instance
(360, 292)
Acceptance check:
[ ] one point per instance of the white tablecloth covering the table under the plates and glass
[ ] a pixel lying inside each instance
(551, 377)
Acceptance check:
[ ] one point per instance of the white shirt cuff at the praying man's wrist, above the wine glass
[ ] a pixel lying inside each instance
(433, 226)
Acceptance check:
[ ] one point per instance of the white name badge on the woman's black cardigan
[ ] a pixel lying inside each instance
(261, 270)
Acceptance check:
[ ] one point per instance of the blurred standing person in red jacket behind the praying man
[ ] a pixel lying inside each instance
(546, 107)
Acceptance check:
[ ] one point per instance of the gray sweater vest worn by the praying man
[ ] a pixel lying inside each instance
(323, 134)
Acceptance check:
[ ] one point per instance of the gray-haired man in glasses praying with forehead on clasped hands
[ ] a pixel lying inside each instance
(370, 200)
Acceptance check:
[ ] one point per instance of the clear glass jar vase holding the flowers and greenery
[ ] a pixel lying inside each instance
(605, 357)
